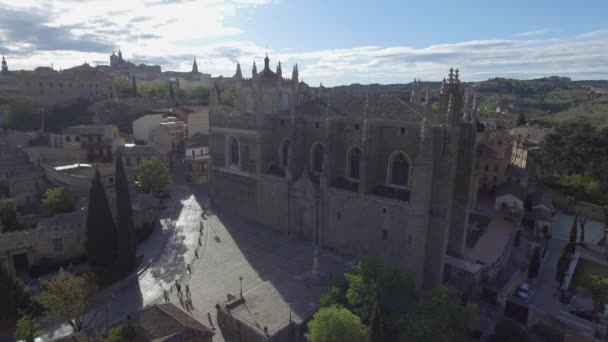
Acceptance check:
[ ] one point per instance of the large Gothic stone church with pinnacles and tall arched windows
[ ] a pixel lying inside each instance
(367, 176)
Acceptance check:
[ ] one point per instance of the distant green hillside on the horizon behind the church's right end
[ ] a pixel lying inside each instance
(547, 100)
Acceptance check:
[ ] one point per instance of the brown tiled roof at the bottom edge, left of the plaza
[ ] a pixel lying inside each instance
(166, 322)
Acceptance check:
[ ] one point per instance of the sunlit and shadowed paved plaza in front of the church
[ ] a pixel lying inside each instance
(229, 248)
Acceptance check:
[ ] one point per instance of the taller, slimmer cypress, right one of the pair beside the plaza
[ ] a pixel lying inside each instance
(124, 218)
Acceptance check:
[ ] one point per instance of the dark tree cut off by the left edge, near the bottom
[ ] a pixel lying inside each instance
(14, 296)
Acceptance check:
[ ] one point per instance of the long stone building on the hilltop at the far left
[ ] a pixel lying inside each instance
(47, 86)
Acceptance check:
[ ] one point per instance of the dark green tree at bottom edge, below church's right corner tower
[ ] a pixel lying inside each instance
(440, 317)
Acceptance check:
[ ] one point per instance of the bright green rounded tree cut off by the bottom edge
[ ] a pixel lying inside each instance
(335, 324)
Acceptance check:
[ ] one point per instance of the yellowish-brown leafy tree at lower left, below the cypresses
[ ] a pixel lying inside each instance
(70, 298)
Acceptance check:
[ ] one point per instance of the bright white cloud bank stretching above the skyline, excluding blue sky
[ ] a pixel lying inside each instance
(172, 32)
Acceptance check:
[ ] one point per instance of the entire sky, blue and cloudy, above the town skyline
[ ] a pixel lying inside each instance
(332, 41)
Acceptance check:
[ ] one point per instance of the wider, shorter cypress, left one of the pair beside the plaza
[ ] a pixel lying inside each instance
(101, 233)
